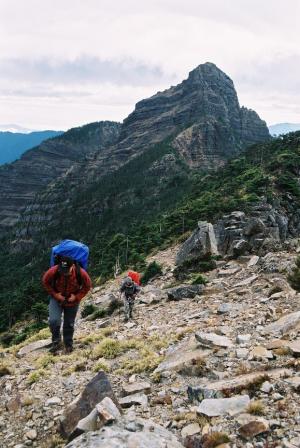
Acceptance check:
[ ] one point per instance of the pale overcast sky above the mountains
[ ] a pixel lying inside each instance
(65, 63)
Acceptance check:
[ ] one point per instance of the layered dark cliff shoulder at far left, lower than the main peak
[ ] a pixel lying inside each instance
(22, 180)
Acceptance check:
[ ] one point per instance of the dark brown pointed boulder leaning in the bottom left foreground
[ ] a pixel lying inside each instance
(94, 392)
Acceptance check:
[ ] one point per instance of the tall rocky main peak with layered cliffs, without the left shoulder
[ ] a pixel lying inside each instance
(205, 108)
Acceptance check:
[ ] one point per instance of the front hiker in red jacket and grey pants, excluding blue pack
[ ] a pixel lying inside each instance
(67, 284)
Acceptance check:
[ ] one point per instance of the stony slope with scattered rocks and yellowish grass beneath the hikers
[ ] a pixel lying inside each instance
(196, 367)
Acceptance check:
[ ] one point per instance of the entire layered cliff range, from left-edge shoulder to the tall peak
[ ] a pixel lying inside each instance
(201, 117)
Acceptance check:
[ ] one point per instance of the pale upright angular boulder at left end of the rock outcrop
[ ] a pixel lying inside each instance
(201, 244)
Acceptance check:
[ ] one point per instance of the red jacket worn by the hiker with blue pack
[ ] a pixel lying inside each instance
(67, 285)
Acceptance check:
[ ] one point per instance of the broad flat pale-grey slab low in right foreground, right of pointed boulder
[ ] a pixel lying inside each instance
(221, 406)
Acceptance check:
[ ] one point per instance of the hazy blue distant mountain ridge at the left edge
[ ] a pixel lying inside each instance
(14, 144)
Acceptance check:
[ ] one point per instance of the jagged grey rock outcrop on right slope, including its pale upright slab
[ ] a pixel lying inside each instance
(263, 228)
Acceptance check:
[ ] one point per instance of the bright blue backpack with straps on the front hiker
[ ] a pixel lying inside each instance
(69, 252)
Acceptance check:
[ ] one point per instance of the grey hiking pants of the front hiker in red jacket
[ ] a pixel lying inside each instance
(55, 317)
